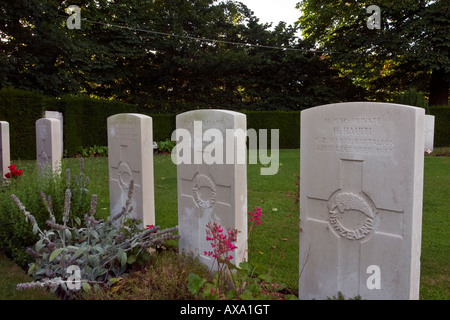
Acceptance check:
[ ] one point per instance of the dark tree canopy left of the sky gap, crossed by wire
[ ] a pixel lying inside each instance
(165, 55)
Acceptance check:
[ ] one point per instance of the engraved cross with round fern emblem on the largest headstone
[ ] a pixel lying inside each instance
(354, 221)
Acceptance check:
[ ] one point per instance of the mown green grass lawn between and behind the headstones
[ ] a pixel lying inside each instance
(274, 243)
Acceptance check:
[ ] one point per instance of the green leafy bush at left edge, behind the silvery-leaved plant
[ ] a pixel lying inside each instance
(15, 233)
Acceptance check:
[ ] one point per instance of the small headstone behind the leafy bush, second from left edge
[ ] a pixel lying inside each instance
(48, 145)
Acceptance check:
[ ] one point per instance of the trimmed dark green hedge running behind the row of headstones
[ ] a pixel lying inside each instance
(85, 122)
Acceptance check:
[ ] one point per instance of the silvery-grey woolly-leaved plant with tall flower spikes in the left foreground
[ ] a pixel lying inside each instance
(101, 250)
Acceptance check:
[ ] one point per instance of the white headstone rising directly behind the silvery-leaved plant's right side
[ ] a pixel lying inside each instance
(130, 156)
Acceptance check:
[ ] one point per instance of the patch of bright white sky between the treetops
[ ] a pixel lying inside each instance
(274, 10)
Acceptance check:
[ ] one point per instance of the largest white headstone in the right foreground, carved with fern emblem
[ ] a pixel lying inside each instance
(361, 172)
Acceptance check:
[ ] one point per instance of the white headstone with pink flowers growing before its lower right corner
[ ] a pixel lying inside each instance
(212, 179)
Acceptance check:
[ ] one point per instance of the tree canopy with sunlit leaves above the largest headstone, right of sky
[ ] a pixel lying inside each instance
(411, 49)
